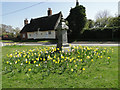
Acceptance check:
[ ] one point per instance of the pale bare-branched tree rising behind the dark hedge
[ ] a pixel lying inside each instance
(102, 18)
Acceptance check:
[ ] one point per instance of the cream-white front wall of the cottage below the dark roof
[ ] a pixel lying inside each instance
(41, 35)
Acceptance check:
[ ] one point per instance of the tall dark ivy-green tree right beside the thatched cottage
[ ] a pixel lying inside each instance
(76, 19)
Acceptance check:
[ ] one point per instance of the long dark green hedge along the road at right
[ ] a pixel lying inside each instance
(108, 33)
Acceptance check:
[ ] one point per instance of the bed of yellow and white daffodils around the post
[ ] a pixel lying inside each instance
(50, 60)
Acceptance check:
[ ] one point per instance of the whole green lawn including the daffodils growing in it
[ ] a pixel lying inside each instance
(84, 67)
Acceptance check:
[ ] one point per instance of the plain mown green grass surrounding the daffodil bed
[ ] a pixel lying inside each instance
(98, 75)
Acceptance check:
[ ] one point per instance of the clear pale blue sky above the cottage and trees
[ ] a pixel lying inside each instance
(9, 17)
